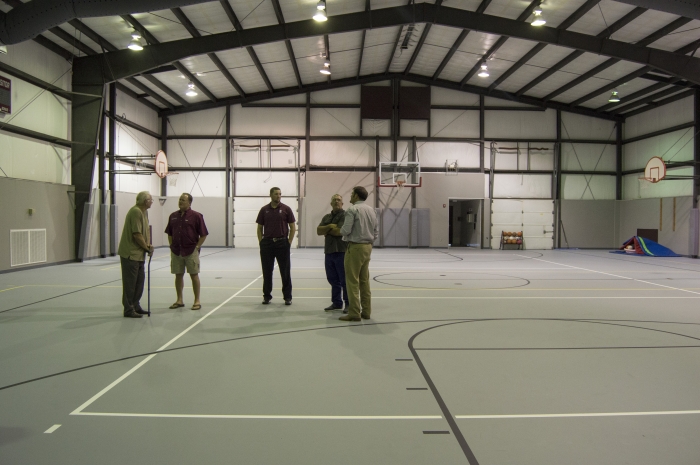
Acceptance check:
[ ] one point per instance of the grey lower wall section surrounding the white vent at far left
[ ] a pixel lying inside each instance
(53, 211)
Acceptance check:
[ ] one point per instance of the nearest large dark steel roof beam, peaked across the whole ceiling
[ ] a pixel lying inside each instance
(126, 63)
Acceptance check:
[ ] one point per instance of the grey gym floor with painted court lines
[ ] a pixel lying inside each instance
(471, 356)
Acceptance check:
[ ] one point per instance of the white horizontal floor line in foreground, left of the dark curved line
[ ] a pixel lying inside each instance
(267, 417)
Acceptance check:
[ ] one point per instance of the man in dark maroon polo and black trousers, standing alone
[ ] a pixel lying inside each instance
(276, 228)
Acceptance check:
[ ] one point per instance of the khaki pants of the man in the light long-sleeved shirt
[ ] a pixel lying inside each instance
(357, 259)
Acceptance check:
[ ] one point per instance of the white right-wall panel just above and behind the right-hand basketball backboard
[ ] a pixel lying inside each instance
(675, 146)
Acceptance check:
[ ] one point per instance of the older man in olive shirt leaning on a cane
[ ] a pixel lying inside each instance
(133, 246)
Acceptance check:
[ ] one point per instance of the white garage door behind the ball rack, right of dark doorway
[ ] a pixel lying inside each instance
(535, 218)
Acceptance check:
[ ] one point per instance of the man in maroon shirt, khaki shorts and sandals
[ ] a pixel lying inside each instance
(186, 233)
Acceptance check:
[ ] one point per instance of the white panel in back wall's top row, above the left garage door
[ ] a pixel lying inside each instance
(248, 121)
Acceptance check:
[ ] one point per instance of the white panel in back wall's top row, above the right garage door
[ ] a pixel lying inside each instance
(521, 124)
